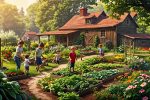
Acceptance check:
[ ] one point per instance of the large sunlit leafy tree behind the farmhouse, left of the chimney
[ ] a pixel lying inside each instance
(51, 14)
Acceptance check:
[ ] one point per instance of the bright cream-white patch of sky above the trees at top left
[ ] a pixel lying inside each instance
(21, 3)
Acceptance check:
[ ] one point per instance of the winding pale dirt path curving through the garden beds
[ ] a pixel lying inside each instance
(30, 85)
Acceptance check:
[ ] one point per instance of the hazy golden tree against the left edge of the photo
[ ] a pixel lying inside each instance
(10, 19)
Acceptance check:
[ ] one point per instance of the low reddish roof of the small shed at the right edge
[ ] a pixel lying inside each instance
(138, 36)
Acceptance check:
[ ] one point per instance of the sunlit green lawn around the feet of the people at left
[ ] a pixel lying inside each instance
(12, 67)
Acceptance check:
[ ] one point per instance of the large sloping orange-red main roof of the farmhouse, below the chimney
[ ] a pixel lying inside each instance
(79, 22)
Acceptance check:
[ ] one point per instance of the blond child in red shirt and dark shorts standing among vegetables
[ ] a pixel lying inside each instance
(73, 58)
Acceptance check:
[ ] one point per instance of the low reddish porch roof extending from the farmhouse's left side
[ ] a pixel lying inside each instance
(57, 32)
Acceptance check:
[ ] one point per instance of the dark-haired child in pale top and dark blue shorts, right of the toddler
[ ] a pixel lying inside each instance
(38, 56)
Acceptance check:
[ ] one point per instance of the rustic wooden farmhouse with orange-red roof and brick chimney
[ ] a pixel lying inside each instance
(95, 24)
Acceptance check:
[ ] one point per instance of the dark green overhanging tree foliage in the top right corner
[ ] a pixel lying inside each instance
(142, 7)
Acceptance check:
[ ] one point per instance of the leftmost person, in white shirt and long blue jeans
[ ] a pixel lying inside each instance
(18, 55)
